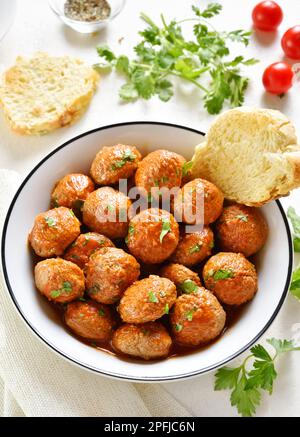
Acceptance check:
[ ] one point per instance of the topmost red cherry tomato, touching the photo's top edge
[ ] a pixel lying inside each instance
(267, 16)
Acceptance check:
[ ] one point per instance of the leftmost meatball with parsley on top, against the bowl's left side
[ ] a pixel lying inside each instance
(53, 231)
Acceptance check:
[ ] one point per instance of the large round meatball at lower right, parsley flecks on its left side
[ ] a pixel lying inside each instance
(197, 318)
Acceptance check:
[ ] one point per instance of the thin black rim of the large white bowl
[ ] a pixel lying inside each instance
(124, 376)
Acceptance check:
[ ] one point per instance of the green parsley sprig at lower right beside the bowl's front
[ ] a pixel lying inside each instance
(246, 384)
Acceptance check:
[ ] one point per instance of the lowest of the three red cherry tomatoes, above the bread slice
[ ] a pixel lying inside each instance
(278, 78)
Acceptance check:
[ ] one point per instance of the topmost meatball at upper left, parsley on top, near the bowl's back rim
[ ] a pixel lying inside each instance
(114, 163)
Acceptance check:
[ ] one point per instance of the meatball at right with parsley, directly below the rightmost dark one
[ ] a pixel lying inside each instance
(231, 277)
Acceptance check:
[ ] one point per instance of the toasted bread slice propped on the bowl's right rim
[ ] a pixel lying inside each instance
(251, 154)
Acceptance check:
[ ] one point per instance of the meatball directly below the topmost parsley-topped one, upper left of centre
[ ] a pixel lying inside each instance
(106, 211)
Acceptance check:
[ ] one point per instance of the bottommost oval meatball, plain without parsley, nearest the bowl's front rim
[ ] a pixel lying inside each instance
(149, 341)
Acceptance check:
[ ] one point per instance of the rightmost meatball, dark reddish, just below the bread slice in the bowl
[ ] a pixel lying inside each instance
(241, 229)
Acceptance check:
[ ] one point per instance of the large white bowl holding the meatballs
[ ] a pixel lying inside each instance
(274, 262)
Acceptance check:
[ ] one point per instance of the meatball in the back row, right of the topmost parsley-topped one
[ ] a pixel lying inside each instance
(161, 168)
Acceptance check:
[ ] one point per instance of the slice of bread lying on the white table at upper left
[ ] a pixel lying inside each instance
(43, 93)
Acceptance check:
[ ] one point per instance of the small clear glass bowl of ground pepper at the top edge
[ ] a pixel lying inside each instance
(83, 26)
